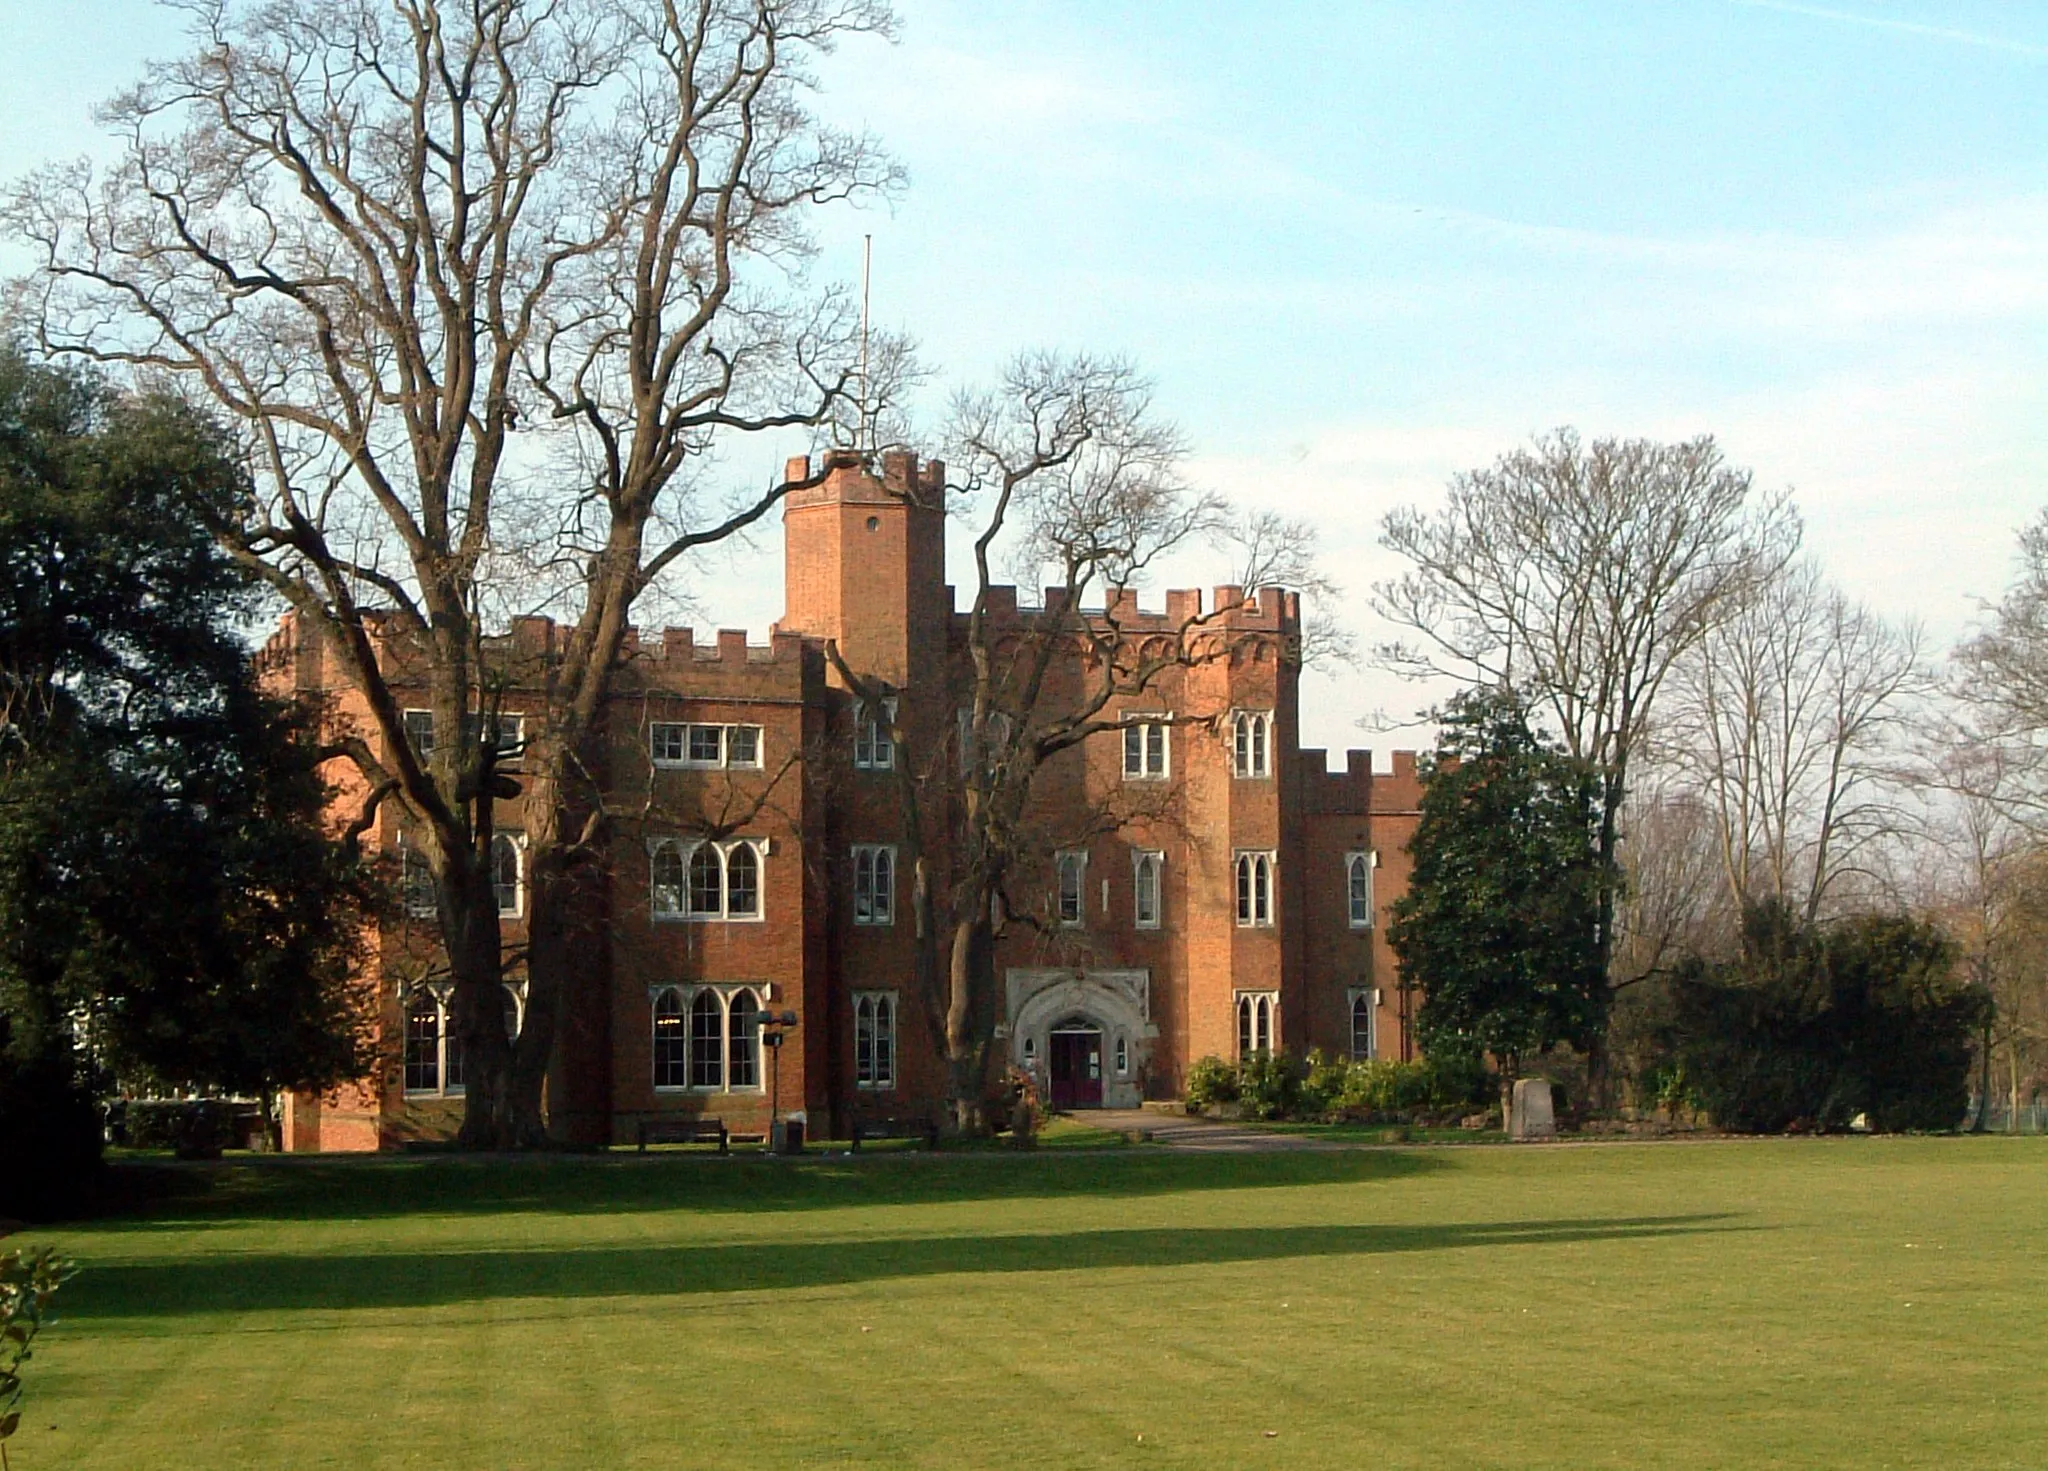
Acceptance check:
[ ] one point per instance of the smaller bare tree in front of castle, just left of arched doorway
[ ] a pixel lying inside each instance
(1074, 485)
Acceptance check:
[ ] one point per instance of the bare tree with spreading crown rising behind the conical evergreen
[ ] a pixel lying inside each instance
(1582, 573)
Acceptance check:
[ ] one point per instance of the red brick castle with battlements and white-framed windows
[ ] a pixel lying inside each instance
(1232, 902)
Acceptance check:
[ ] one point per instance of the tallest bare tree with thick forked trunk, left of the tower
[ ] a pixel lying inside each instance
(474, 282)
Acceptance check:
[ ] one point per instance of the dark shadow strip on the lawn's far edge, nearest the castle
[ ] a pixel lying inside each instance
(378, 1187)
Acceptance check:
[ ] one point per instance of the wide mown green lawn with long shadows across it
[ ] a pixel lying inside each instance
(1787, 1304)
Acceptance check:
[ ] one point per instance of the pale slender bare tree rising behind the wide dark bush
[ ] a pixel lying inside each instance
(1793, 720)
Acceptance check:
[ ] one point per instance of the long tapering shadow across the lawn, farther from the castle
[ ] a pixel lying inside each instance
(257, 1281)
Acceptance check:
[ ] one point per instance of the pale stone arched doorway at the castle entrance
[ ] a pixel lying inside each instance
(1084, 1036)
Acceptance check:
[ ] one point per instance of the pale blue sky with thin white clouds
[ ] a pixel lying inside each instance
(1363, 247)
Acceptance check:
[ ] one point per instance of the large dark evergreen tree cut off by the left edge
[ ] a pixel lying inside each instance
(169, 896)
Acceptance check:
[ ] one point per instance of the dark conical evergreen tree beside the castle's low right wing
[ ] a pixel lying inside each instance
(1500, 927)
